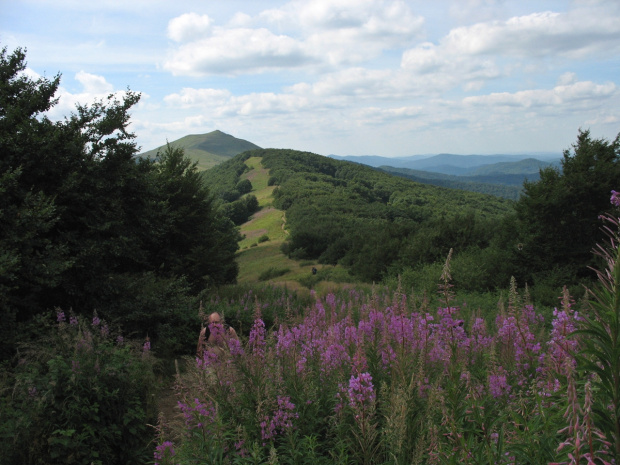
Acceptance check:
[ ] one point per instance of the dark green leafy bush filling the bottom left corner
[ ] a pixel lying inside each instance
(79, 394)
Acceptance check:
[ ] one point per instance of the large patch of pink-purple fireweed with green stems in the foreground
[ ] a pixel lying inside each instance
(382, 378)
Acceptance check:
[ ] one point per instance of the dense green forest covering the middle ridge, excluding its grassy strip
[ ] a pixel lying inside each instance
(362, 218)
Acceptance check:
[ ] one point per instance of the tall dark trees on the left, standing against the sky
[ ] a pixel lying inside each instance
(86, 225)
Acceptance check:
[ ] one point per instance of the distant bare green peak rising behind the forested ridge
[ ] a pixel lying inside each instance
(208, 149)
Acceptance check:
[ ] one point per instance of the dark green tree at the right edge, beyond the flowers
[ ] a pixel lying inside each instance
(558, 216)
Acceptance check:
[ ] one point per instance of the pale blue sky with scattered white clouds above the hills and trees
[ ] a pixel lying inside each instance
(346, 77)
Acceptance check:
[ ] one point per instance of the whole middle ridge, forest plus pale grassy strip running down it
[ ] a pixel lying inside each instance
(350, 221)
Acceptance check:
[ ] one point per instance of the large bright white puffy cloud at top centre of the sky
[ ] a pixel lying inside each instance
(310, 33)
